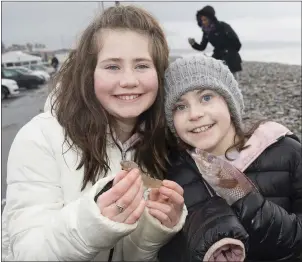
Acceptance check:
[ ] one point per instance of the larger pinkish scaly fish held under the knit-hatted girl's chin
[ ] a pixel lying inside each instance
(223, 177)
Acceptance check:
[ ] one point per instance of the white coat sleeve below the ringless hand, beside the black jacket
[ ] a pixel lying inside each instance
(149, 236)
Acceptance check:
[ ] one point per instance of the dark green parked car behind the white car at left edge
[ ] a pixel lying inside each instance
(22, 79)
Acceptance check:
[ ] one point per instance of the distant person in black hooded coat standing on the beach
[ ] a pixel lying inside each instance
(221, 36)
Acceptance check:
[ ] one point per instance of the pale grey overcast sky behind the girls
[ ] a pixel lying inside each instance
(57, 24)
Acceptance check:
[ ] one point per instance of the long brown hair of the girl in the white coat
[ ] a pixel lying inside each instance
(82, 116)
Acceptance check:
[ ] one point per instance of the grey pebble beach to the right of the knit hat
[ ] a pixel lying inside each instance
(272, 91)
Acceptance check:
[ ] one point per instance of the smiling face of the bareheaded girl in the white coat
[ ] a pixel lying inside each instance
(125, 78)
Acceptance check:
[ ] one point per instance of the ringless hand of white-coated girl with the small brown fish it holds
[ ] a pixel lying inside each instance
(165, 199)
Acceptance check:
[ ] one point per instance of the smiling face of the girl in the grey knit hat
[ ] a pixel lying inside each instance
(202, 120)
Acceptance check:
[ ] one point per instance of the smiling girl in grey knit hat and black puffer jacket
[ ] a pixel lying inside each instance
(204, 108)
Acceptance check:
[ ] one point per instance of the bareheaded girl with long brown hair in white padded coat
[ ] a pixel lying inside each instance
(67, 197)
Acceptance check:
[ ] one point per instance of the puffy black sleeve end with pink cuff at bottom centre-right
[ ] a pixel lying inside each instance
(210, 223)
